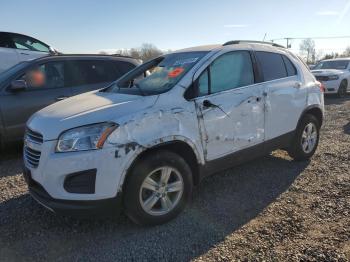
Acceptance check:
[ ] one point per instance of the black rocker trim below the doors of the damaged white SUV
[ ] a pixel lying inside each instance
(245, 155)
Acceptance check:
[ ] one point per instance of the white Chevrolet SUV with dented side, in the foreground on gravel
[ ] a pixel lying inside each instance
(144, 142)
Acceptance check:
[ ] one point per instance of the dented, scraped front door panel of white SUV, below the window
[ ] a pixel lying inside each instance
(237, 122)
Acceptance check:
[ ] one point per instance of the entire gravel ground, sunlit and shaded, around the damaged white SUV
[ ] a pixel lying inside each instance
(271, 209)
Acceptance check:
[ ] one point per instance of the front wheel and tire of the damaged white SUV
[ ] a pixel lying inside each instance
(138, 194)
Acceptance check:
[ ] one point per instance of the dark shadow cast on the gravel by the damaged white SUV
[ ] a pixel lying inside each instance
(222, 204)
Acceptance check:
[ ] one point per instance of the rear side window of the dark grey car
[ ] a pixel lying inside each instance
(88, 72)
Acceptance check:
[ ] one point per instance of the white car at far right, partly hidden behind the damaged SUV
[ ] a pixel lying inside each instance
(334, 74)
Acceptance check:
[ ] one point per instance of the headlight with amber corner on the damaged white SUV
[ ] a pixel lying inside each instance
(85, 138)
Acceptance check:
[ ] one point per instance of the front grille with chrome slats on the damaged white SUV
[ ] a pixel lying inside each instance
(32, 148)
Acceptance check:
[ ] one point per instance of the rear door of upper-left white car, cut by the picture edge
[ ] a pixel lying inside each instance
(8, 53)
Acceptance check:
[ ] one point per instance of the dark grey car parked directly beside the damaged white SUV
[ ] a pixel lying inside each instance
(30, 86)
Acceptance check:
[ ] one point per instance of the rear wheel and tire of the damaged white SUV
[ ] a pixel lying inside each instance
(299, 152)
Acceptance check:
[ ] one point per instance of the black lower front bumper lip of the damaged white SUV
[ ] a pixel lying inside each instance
(76, 208)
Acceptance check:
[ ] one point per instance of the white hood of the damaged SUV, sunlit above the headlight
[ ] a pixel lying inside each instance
(85, 109)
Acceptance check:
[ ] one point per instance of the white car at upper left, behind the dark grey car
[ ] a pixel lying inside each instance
(15, 48)
